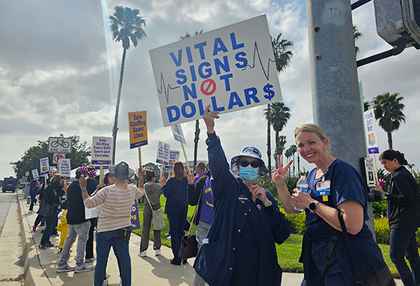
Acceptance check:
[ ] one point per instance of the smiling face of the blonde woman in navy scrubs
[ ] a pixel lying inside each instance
(312, 147)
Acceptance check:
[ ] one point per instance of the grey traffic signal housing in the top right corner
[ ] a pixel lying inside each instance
(398, 21)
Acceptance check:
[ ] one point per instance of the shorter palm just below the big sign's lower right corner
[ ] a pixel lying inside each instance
(278, 116)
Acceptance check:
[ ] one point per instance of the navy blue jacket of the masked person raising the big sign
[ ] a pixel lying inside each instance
(241, 242)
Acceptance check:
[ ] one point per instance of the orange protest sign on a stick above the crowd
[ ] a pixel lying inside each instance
(137, 126)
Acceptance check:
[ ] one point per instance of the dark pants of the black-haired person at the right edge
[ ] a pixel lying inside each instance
(403, 244)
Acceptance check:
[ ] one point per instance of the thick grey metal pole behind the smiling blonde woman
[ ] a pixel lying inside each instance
(336, 101)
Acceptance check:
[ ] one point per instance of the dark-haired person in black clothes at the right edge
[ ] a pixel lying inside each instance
(403, 204)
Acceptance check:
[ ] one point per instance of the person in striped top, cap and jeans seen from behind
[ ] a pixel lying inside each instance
(114, 225)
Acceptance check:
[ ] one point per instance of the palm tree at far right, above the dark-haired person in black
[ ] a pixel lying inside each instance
(388, 110)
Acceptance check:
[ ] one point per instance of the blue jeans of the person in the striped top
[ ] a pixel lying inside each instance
(104, 242)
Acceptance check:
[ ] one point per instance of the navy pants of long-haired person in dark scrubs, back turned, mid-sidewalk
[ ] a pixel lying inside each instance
(176, 230)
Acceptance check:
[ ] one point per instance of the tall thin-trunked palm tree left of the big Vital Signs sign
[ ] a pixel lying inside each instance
(126, 26)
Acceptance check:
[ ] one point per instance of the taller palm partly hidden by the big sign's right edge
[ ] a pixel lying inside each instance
(282, 56)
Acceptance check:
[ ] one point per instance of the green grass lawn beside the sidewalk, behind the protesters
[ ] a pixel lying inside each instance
(288, 252)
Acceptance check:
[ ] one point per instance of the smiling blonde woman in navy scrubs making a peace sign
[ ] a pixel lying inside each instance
(338, 248)
